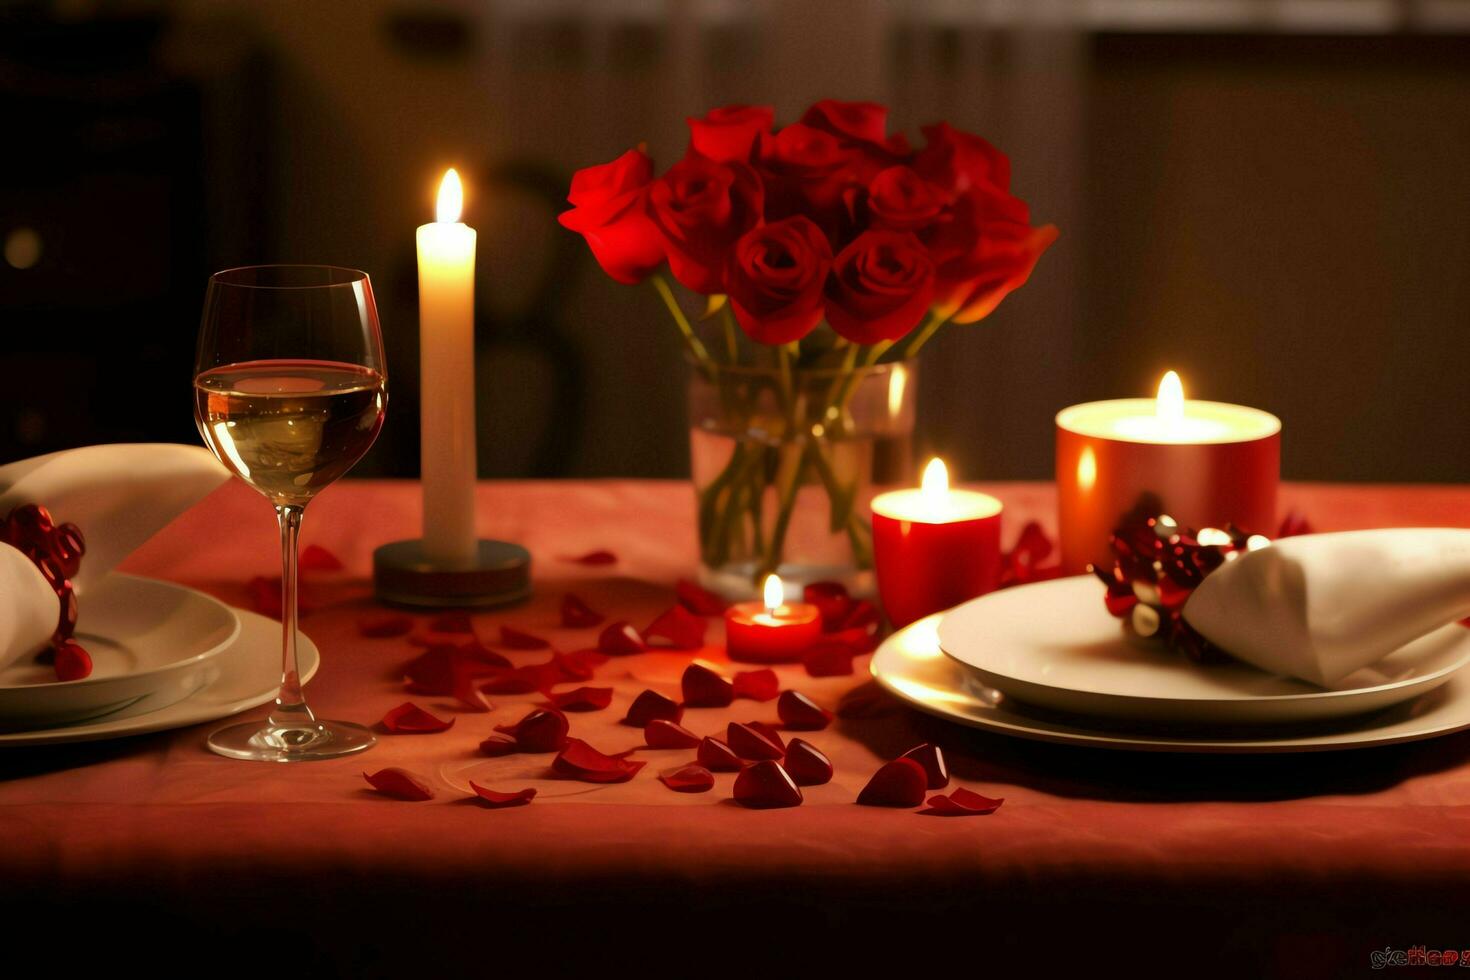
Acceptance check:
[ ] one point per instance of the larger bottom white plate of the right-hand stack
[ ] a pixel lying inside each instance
(912, 666)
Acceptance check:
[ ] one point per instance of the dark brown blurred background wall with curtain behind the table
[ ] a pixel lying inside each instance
(1275, 209)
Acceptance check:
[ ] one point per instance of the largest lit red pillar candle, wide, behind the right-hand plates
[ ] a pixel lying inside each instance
(1205, 464)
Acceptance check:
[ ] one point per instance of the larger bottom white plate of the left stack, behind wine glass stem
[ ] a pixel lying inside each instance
(249, 677)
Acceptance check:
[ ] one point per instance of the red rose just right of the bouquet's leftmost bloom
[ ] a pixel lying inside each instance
(700, 208)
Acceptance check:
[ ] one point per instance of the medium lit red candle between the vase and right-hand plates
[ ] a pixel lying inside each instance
(934, 547)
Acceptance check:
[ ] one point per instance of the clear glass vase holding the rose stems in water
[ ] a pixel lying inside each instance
(784, 466)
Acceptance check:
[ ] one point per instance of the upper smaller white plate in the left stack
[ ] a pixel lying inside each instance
(151, 643)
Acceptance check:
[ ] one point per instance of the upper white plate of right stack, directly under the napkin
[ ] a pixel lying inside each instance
(1053, 644)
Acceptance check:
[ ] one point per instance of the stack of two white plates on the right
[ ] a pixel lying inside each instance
(1047, 662)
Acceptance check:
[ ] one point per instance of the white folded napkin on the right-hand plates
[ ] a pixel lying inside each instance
(1322, 606)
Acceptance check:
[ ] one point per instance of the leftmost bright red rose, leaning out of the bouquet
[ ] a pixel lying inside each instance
(608, 211)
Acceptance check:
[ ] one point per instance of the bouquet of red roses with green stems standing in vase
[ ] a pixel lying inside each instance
(830, 253)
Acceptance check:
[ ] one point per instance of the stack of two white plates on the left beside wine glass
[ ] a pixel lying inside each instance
(164, 657)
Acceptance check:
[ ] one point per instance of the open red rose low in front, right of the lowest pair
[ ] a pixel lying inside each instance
(881, 287)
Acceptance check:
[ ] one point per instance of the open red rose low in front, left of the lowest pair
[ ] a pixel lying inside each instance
(777, 277)
